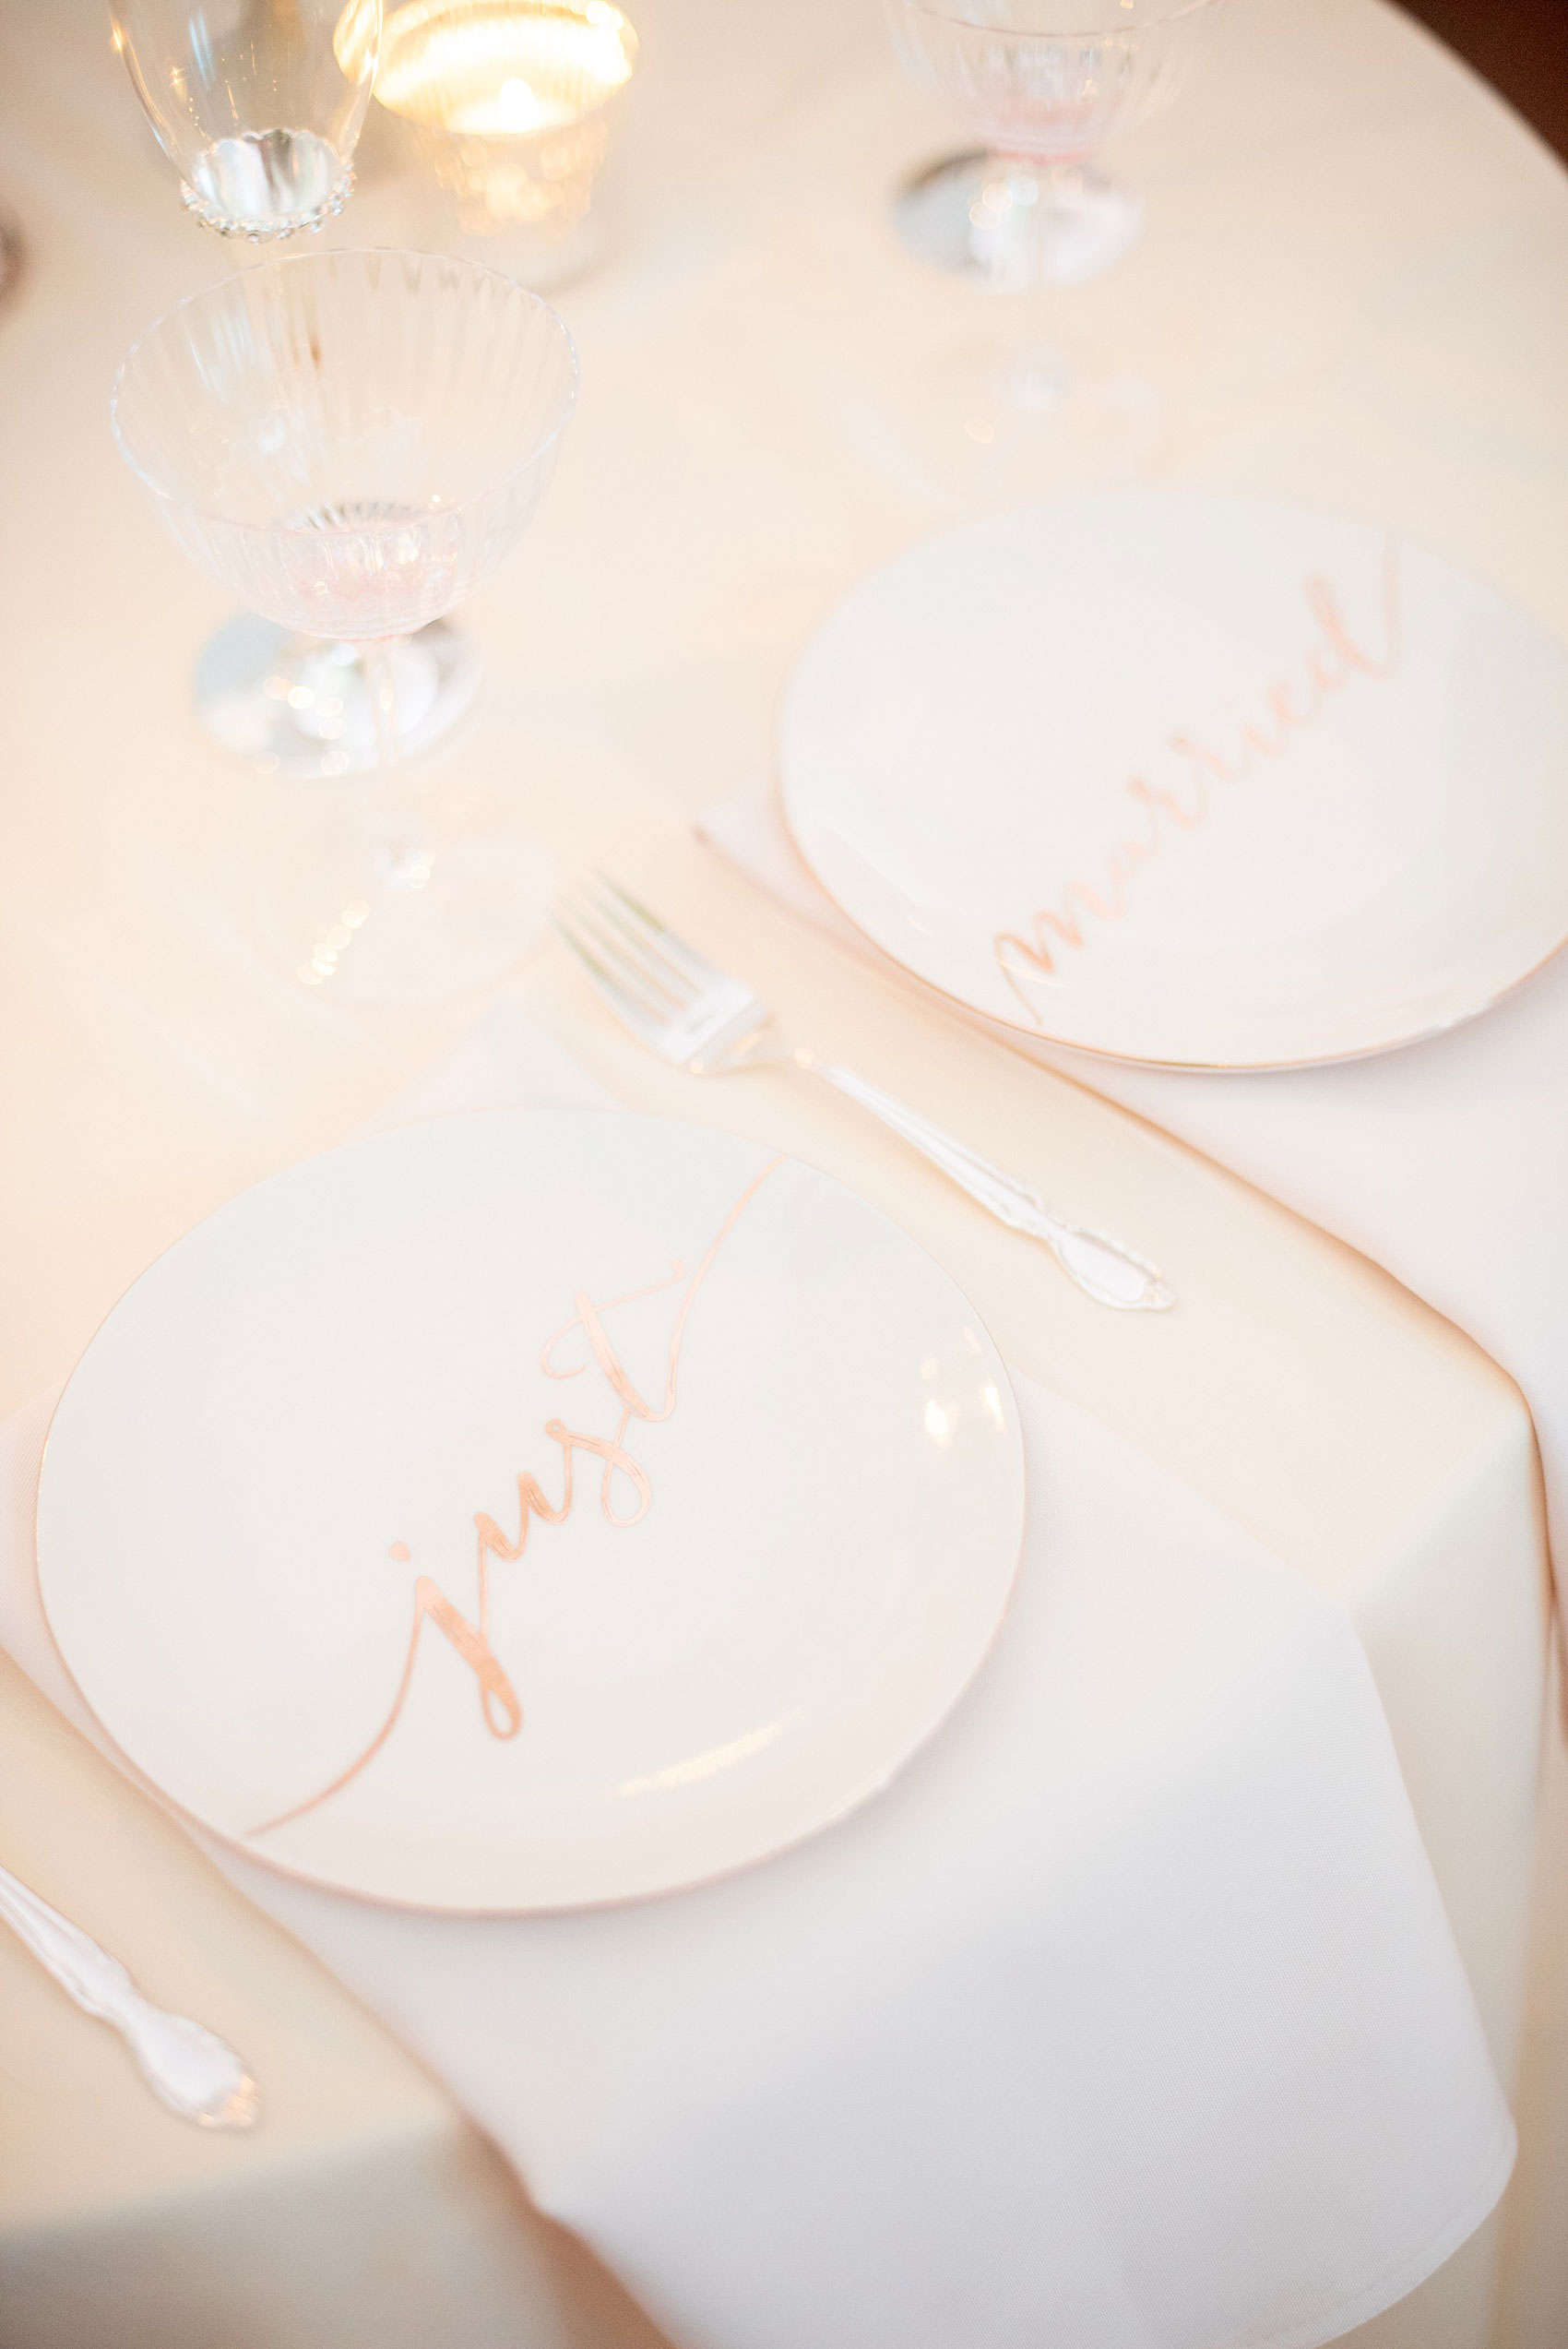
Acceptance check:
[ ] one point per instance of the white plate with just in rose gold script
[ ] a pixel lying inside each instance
(527, 1512)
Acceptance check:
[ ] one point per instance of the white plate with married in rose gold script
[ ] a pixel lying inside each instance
(1189, 779)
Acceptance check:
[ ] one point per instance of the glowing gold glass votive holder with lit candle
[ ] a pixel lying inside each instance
(508, 107)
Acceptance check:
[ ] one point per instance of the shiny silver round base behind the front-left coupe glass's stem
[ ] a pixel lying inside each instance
(297, 706)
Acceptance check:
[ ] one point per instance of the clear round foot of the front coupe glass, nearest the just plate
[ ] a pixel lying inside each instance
(405, 929)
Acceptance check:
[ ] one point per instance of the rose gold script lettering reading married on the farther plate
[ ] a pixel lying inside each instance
(1292, 706)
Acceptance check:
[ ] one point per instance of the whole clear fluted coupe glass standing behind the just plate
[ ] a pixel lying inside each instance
(351, 443)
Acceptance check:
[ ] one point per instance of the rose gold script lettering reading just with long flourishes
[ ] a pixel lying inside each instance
(499, 1707)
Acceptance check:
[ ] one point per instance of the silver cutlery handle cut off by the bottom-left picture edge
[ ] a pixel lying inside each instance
(187, 2068)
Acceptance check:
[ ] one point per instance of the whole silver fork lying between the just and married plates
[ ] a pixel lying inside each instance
(708, 1023)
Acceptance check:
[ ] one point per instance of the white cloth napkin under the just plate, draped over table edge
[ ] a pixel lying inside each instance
(1128, 2017)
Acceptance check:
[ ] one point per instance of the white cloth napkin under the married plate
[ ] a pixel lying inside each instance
(1447, 1164)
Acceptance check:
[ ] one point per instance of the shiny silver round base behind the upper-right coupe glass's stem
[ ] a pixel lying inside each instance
(980, 217)
